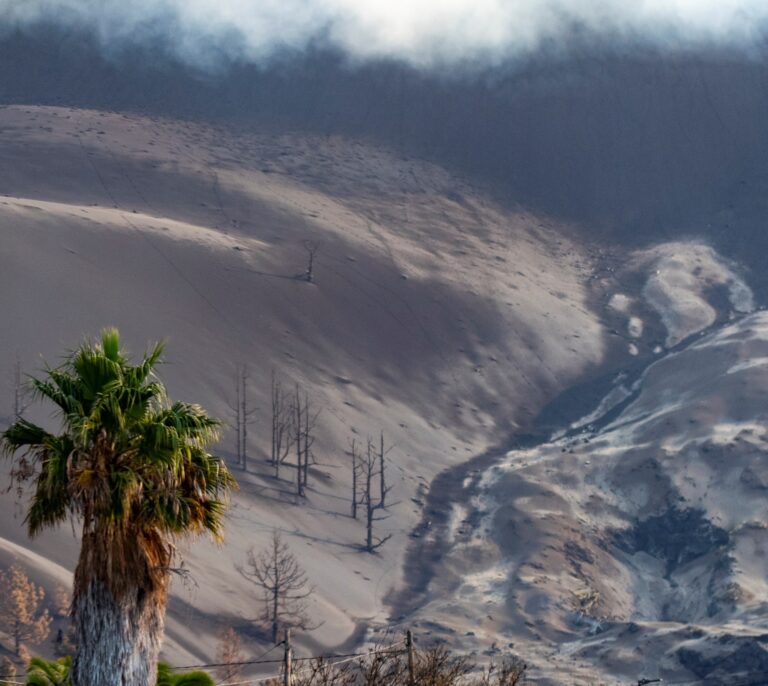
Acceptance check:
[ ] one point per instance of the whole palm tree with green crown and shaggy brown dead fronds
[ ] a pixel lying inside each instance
(134, 470)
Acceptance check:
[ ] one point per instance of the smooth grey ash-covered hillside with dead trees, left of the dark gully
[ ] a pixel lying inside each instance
(430, 305)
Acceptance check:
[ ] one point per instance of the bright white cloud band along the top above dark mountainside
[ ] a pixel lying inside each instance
(425, 33)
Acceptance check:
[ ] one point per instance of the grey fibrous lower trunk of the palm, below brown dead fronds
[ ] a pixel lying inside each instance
(118, 642)
